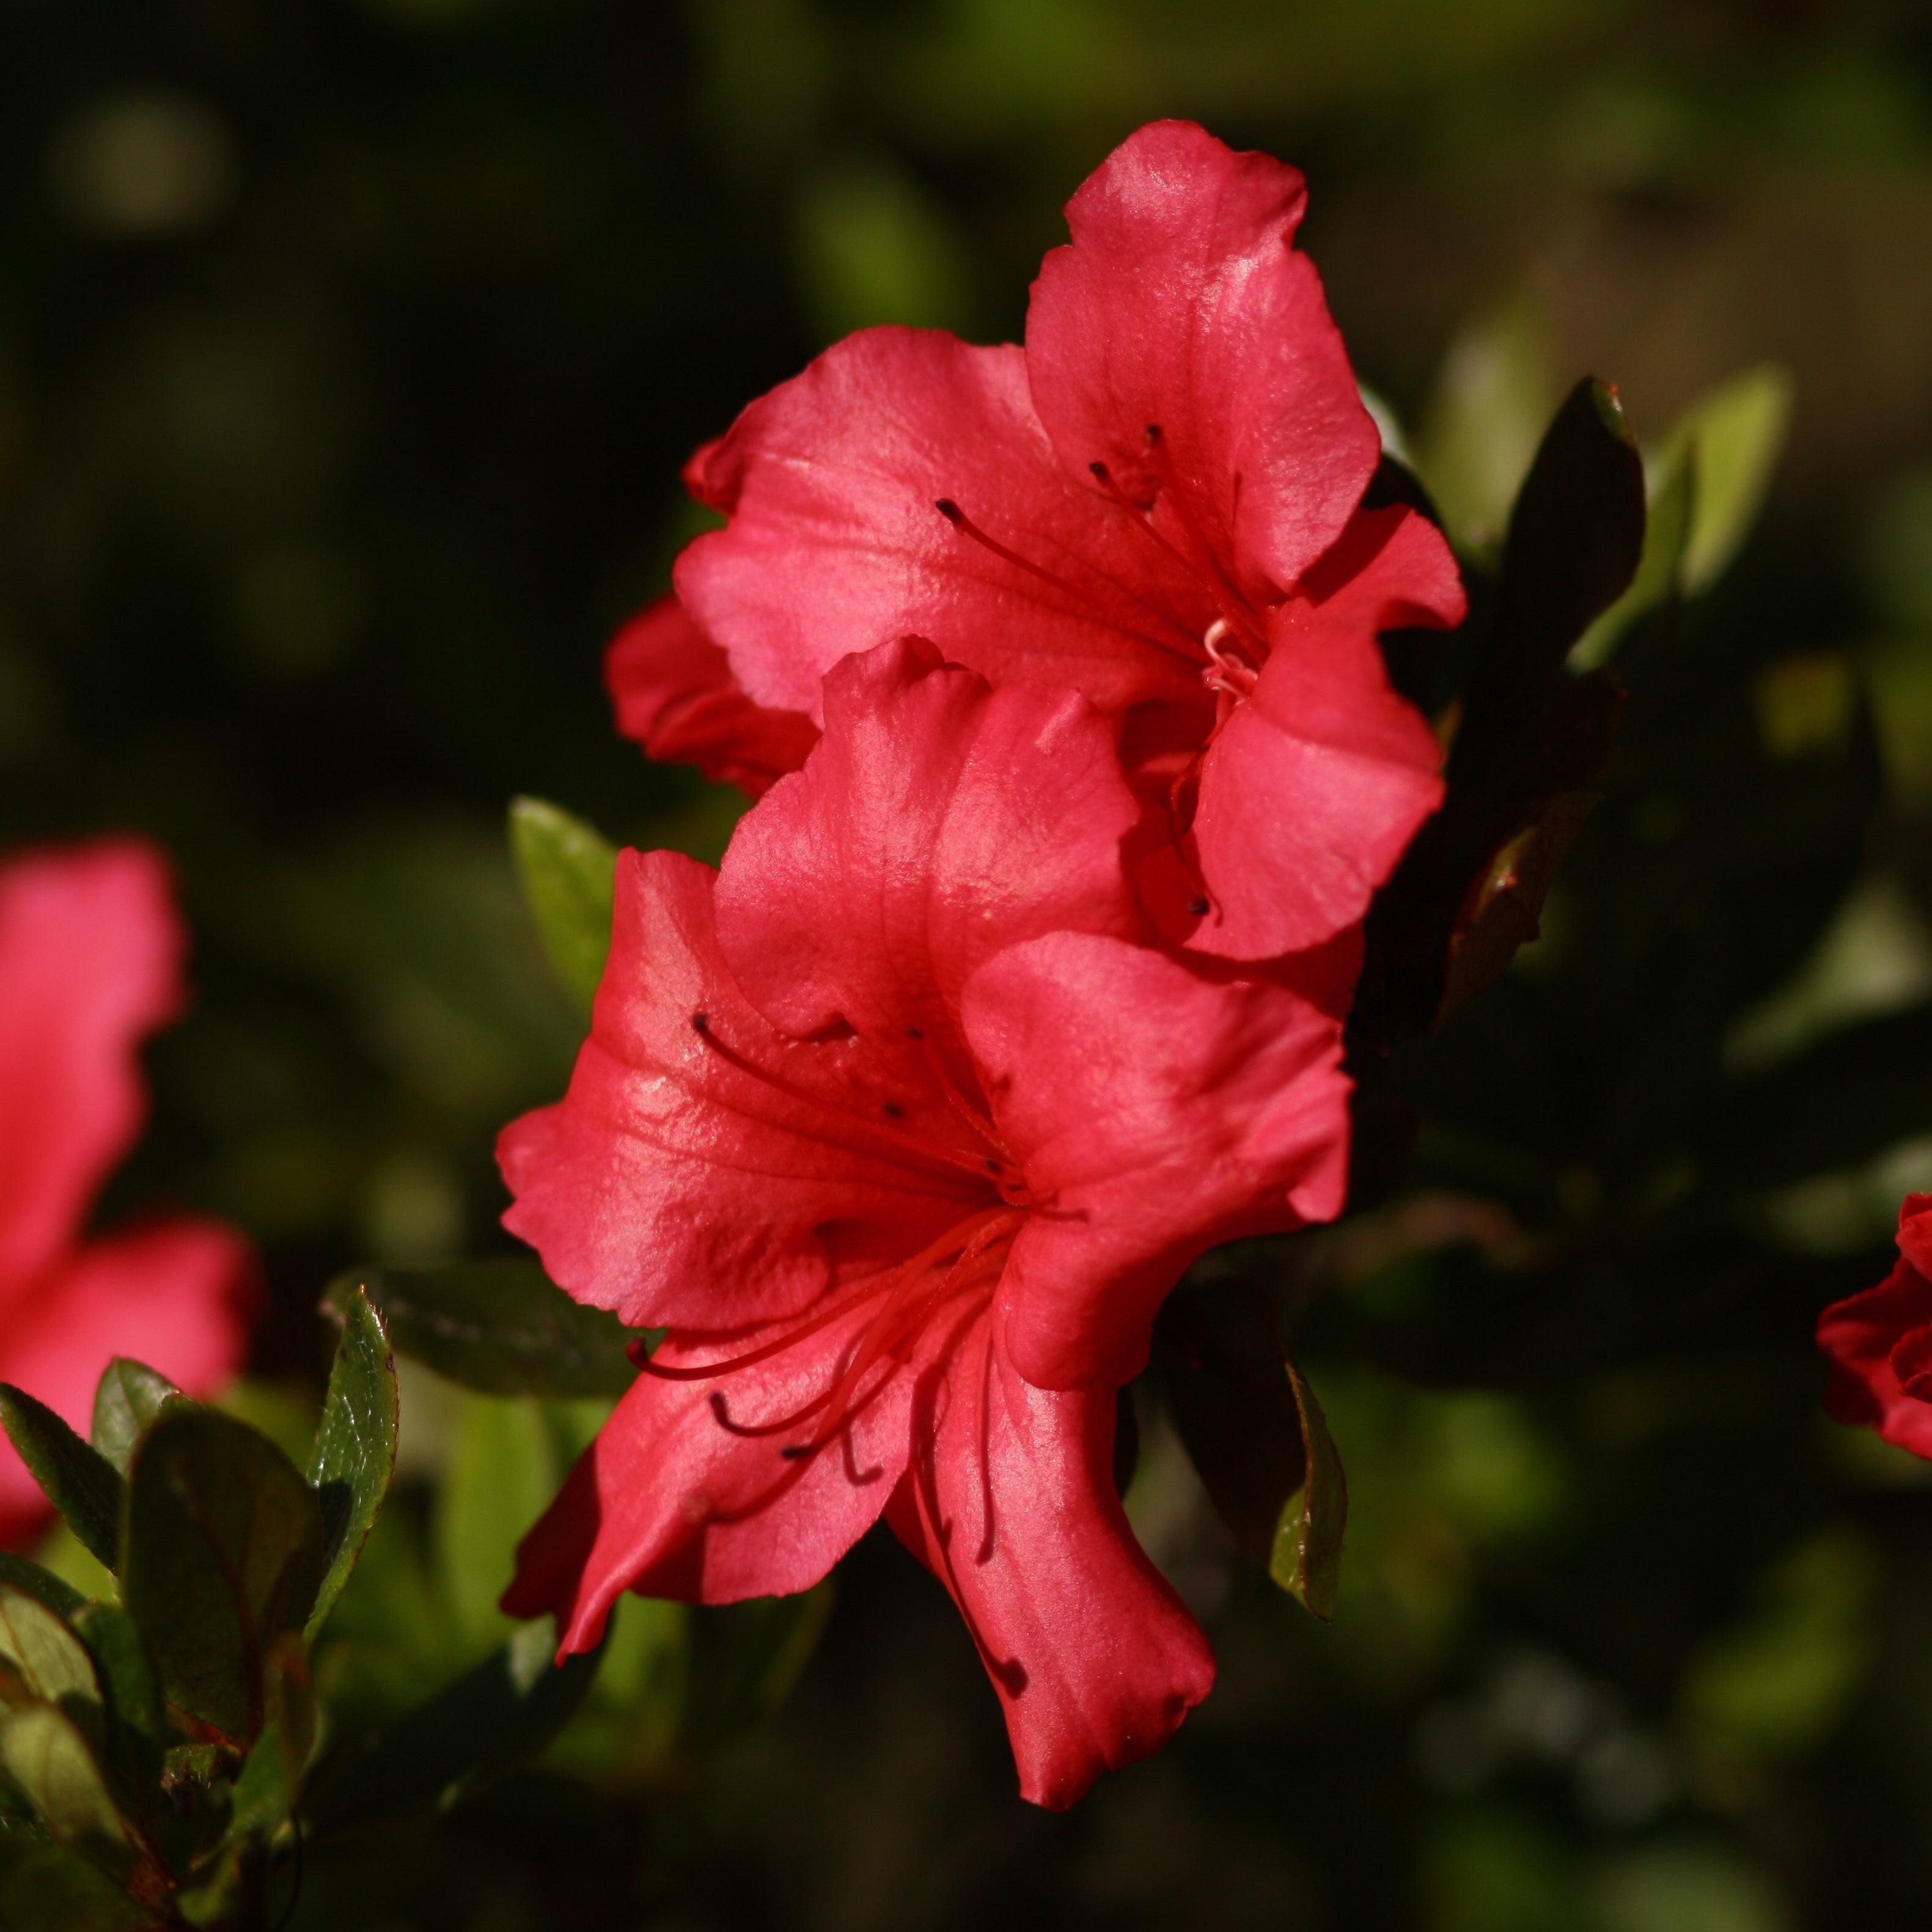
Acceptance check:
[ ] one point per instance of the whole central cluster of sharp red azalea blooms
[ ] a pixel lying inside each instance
(1056, 673)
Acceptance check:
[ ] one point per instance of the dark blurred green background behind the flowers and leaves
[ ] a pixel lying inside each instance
(349, 353)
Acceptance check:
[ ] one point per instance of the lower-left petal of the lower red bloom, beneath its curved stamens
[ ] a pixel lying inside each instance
(673, 1500)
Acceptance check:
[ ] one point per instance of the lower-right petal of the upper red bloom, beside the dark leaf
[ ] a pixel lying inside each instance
(1315, 787)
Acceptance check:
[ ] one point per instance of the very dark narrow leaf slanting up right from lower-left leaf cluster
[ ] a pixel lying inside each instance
(497, 1717)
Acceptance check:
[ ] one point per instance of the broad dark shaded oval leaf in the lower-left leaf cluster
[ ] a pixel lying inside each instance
(225, 1554)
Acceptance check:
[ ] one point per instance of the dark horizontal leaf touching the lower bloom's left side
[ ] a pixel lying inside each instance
(497, 1326)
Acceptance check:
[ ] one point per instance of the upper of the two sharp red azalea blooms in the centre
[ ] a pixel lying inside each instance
(1158, 503)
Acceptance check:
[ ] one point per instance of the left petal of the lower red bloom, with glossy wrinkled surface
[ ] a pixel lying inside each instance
(708, 1179)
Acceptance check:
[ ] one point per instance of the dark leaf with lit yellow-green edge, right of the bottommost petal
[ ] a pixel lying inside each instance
(1257, 1435)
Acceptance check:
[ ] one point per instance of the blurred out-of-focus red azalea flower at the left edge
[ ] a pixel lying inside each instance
(90, 963)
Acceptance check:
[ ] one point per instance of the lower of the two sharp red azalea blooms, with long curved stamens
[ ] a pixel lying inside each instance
(903, 1139)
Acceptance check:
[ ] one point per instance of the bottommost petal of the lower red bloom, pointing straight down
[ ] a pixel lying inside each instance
(1011, 1506)
